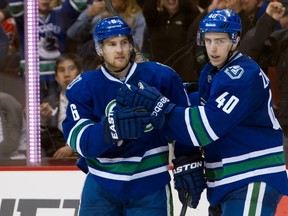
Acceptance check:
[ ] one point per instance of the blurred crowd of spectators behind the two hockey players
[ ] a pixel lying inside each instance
(164, 31)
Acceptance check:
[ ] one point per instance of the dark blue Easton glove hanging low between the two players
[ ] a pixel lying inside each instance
(189, 178)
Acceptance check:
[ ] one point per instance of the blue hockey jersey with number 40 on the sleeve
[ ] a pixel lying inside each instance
(235, 124)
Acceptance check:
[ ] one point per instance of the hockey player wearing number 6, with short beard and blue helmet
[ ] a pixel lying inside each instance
(125, 176)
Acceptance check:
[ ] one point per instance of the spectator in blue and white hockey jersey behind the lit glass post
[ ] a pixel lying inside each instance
(53, 24)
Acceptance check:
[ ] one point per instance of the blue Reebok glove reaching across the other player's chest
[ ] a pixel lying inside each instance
(148, 97)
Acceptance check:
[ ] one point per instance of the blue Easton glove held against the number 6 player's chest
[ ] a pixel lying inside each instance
(126, 123)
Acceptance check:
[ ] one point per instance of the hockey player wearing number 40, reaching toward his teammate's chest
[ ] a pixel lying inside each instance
(232, 119)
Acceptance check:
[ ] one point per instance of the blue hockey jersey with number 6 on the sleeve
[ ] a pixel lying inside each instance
(137, 167)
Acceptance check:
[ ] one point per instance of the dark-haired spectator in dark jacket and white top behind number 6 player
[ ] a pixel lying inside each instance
(53, 108)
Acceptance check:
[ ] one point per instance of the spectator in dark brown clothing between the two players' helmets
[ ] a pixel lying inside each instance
(167, 25)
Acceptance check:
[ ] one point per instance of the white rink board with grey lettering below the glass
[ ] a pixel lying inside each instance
(57, 189)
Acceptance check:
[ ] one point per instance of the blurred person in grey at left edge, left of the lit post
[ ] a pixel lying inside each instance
(12, 128)
